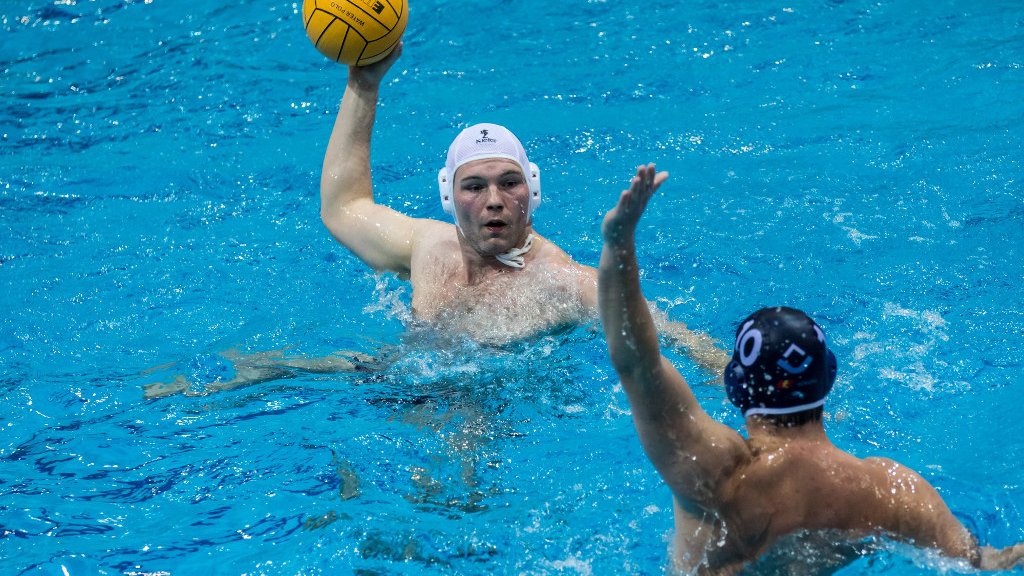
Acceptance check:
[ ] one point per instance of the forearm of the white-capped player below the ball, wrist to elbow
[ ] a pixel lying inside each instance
(347, 166)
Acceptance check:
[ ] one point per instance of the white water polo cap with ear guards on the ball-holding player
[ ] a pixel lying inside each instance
(485, 142)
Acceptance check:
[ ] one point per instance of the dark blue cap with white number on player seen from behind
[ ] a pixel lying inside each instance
(781, 364)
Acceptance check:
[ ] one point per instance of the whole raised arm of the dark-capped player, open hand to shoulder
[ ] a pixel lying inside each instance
(691, 450)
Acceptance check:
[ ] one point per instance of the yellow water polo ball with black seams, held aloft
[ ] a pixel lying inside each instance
(356, 32)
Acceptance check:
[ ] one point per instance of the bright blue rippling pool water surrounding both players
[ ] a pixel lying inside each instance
(159, 205)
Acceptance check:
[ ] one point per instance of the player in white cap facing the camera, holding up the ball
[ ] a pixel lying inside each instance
(491, 275)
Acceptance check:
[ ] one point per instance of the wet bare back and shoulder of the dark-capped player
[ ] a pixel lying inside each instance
(804, 484)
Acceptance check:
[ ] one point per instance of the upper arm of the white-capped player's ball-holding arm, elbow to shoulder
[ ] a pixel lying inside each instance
(381, 237)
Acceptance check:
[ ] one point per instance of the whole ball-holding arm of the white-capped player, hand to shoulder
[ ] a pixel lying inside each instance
(379, 236)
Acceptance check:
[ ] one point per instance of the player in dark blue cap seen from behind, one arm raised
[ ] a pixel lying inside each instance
(736, 500)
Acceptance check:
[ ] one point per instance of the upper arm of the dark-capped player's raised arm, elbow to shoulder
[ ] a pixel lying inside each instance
(693, 452)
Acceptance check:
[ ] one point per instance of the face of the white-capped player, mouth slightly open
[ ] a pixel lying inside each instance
(492, 202)
